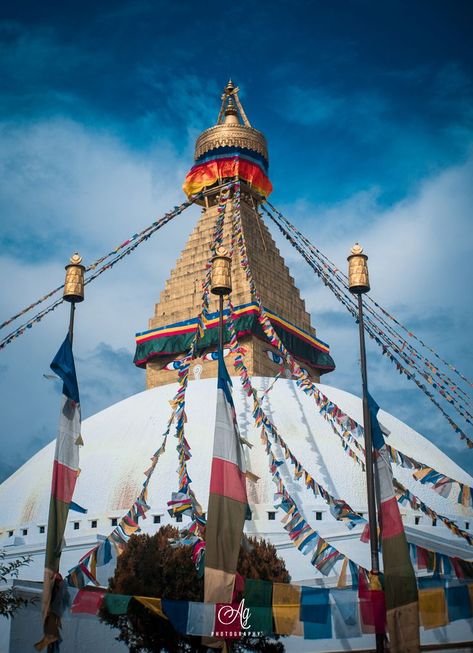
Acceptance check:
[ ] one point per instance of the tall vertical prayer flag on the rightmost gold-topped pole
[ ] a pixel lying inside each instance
(400, 585)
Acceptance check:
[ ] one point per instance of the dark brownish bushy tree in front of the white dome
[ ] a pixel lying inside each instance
(151, 566)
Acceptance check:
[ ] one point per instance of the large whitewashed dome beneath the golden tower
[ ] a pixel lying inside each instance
(120, 440)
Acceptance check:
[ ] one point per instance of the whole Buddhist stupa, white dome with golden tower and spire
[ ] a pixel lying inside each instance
(119, 441)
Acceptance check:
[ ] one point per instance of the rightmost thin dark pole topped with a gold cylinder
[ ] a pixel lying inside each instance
(358, 284)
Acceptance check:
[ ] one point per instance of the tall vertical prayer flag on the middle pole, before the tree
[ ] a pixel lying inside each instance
(227, 498)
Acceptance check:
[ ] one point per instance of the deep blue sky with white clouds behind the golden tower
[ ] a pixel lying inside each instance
(367, 108)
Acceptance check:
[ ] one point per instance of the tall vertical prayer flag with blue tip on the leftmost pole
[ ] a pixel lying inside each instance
(64, 477)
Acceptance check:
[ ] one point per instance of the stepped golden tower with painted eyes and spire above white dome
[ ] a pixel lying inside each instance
(230, 149)
